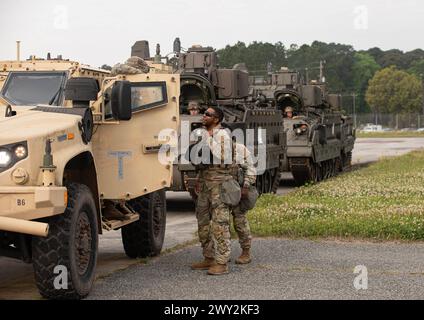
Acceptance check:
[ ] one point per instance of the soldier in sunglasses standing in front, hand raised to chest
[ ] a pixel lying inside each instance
(212, 207)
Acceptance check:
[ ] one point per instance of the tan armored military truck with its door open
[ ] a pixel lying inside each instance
(79, 155)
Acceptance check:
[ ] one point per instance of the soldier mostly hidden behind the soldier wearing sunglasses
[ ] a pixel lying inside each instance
(244, 171)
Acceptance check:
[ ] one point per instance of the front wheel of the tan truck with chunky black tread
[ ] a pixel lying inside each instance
(72, 243)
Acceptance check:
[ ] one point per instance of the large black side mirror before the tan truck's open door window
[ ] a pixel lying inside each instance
(121, 100)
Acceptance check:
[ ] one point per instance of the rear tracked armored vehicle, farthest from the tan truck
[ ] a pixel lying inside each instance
(320, 139)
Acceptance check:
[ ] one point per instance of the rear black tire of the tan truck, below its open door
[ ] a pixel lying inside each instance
(144, 238)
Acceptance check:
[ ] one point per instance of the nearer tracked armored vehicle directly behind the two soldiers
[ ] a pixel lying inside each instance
(204, 82)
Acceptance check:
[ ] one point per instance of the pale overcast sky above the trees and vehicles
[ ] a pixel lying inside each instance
(97, 32)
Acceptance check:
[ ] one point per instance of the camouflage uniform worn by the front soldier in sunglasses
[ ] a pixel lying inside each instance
(213, 207)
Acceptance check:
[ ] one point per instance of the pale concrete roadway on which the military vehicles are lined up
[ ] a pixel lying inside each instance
(16, 278)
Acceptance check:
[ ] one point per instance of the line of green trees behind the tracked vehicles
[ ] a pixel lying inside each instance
(383, 81)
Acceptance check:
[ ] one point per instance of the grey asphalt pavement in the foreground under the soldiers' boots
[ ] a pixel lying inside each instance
(281, 269)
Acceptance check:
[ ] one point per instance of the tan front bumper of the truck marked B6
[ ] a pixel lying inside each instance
(19, 205)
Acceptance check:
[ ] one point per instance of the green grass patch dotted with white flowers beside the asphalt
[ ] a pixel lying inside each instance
(382, 202)
